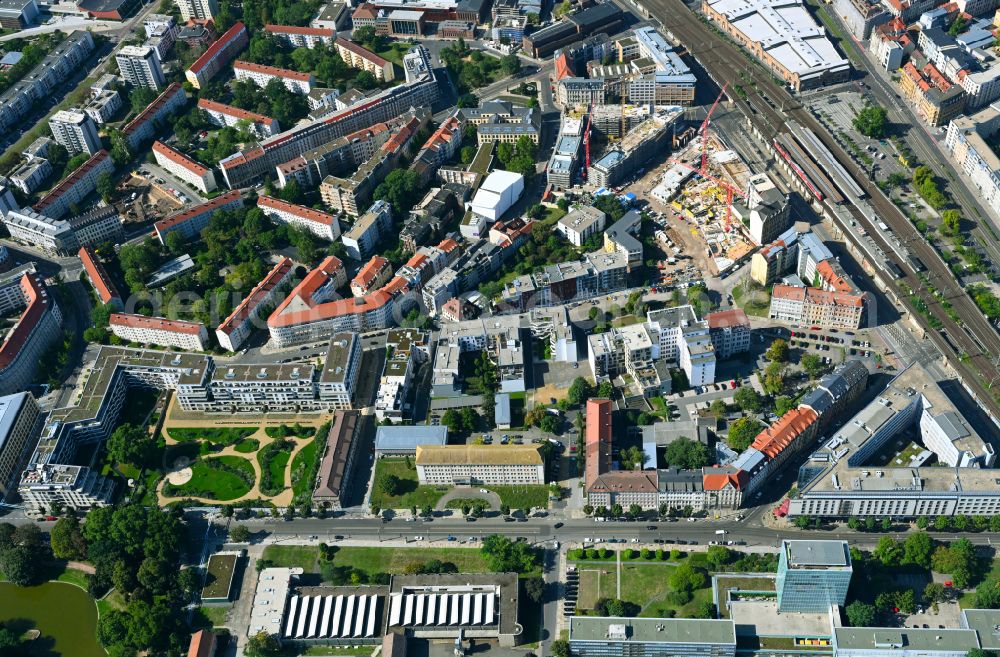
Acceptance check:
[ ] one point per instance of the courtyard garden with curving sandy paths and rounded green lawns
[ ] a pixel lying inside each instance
(276, 464)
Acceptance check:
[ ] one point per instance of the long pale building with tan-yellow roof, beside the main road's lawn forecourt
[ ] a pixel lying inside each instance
(504, 465)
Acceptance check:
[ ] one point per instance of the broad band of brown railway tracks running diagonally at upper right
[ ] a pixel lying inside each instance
(972, 345)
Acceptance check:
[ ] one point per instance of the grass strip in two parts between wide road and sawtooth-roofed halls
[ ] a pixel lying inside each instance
(374, 560)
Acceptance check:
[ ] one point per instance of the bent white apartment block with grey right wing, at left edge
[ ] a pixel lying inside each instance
(64, 236)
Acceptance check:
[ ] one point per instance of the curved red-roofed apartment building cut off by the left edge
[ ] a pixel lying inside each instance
(35, 329)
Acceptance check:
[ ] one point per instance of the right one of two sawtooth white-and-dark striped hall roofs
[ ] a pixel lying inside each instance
(443, 609)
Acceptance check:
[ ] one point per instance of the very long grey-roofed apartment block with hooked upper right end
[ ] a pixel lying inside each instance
(420, 90)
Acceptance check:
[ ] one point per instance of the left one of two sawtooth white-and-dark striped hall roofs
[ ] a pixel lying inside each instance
(331, 616)
